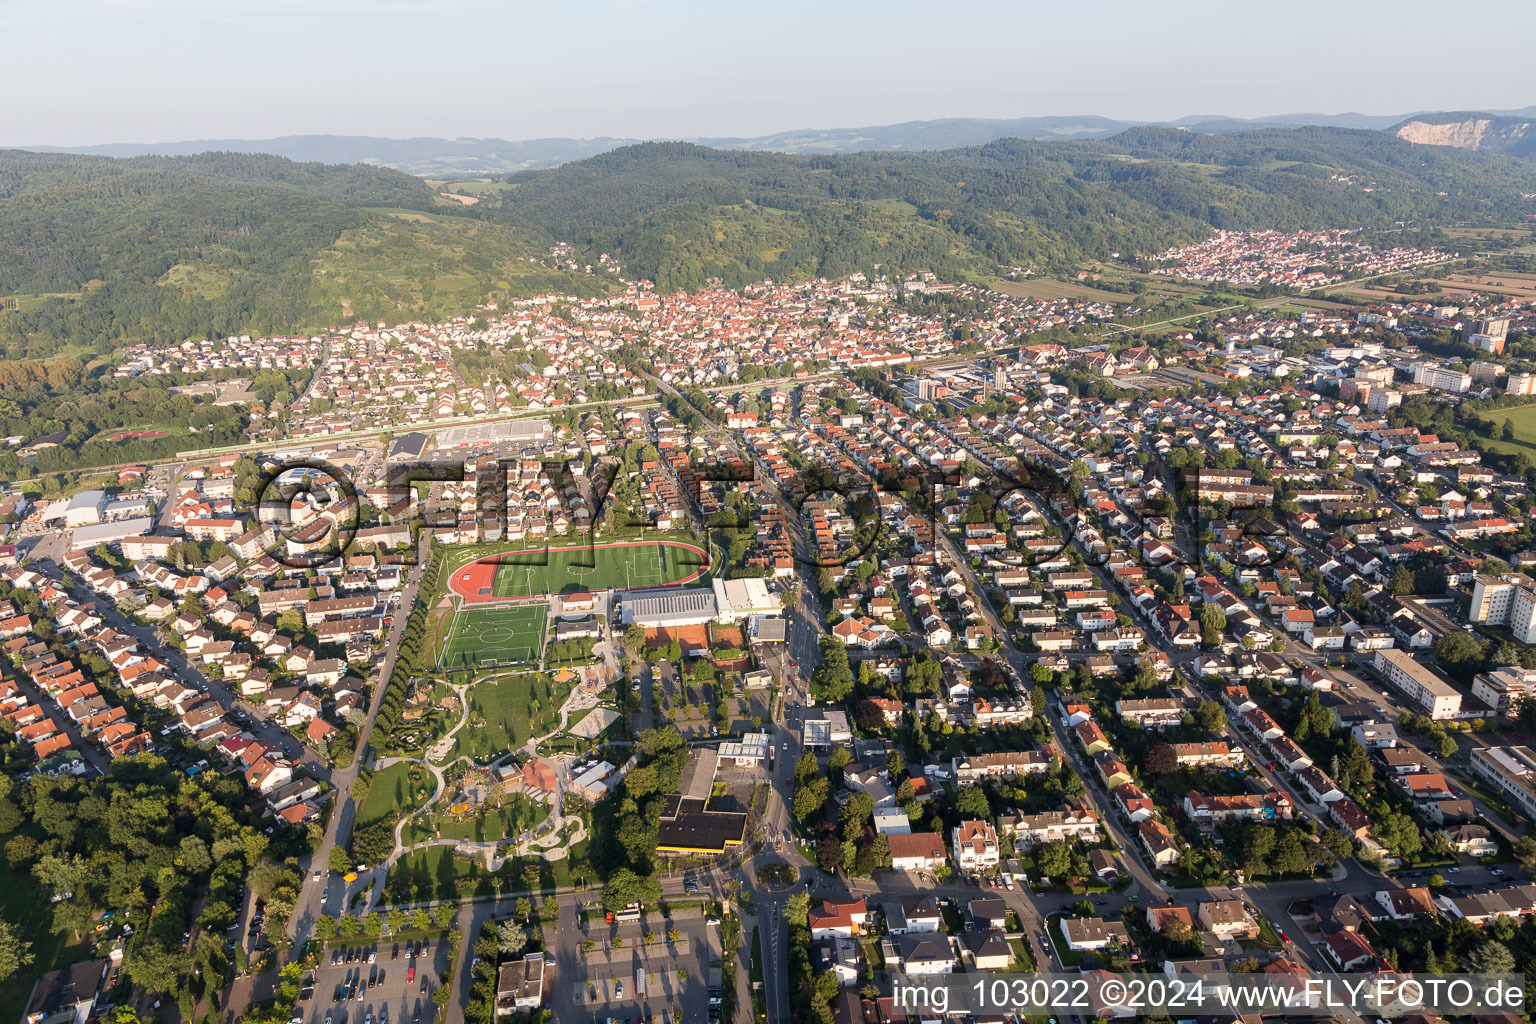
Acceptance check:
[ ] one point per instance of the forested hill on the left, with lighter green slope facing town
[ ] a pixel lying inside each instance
(98, 253)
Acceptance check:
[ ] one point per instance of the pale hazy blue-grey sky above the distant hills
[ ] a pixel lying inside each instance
(79, 73)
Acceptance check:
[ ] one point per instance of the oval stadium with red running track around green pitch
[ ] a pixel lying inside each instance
(540, 572)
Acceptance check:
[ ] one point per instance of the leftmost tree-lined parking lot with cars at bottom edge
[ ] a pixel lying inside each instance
(394, 989)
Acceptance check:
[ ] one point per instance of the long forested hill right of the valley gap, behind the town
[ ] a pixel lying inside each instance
(684, 214)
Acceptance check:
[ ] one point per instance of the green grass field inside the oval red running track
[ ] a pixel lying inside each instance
(558, 572)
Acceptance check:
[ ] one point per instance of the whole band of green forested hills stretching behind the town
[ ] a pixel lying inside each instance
(96, 253)
